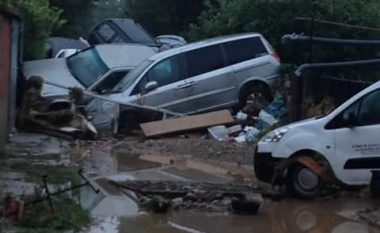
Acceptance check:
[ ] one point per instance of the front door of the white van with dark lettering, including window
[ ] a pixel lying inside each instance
(357, 139)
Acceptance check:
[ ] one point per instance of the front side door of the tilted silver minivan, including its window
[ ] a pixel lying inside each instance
(170, 92)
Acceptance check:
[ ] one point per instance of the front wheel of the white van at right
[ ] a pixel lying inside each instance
(303, 182)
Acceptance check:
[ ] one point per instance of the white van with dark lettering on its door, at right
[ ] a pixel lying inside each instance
(346, 141)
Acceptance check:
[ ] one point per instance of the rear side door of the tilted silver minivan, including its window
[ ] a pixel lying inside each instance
(211, 83)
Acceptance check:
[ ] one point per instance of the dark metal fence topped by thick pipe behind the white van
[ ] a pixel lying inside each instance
(316, 85)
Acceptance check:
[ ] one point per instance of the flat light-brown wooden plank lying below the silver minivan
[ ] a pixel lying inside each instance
(186, 123)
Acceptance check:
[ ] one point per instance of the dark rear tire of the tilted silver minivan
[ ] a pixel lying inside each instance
(256, 88)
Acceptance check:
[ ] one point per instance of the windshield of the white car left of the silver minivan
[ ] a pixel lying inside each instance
(87, 66)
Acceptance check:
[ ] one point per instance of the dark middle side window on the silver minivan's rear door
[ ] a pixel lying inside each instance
(204, 60)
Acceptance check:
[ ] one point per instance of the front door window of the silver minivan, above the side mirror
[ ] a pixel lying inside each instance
(165, 72)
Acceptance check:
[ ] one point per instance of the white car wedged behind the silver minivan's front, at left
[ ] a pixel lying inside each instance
(88, 67)
